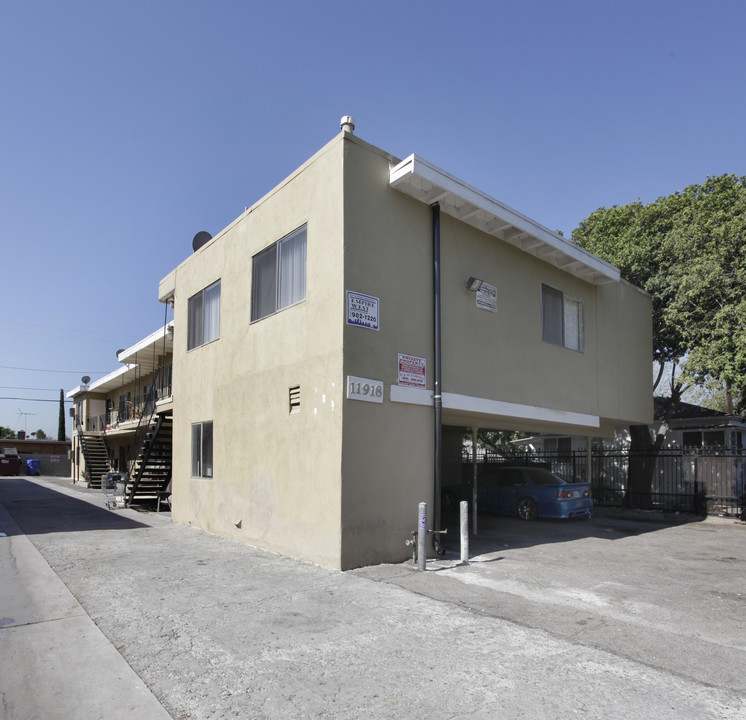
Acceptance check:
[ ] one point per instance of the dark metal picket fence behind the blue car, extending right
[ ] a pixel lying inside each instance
(709, 480)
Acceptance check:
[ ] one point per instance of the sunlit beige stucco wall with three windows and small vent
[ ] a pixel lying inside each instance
(276, 477)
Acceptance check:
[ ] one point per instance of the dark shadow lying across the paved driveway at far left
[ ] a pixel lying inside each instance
(38, 510)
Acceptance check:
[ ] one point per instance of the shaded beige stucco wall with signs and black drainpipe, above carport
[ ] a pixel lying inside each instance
(388, 449)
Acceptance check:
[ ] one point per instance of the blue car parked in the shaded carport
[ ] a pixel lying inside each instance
(532, 492)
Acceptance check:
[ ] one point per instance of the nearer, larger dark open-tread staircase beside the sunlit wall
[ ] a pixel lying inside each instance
(151, 471)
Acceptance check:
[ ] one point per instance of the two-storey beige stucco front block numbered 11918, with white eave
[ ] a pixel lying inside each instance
(307, 351)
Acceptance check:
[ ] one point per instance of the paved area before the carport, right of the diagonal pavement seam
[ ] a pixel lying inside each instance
(666, 590)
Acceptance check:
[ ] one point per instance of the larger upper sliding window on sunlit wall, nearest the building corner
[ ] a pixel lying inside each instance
(279, 275)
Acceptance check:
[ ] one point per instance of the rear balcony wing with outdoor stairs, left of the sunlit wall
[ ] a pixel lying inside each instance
(123, 421)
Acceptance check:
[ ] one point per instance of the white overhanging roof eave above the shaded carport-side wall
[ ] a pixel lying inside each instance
(429, 184)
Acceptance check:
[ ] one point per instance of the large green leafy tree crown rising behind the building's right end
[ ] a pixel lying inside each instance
(687, 250)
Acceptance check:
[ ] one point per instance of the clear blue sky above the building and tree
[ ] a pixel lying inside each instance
(128, 127)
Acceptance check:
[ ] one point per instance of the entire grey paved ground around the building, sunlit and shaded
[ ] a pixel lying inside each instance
(123, 614)
